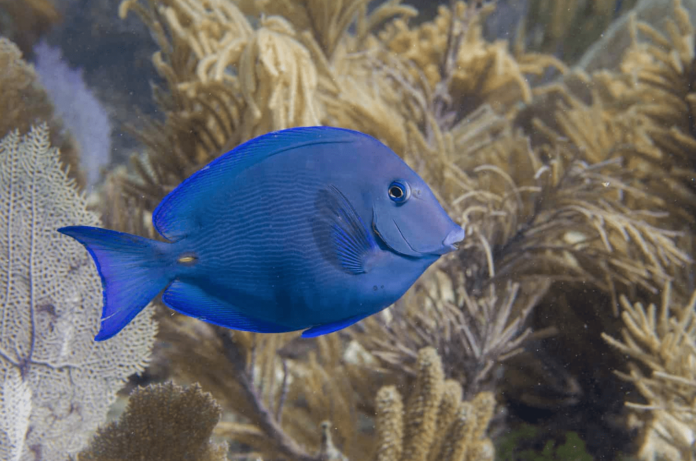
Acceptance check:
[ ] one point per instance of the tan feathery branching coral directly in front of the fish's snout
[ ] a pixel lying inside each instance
(540, 222)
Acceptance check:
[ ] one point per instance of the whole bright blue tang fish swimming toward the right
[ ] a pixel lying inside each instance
(311, 228)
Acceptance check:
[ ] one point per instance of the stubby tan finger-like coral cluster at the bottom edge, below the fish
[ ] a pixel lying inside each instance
(436, 424)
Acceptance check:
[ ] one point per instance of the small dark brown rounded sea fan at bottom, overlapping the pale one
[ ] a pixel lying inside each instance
(161, 422)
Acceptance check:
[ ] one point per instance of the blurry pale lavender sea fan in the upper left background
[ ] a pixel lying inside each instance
(81, 112)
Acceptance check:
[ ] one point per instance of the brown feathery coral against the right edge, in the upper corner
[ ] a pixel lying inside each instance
(642, 114)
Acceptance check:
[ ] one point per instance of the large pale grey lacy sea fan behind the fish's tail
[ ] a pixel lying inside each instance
(53, 372)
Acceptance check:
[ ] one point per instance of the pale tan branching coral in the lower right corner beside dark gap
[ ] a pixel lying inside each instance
(662, 343)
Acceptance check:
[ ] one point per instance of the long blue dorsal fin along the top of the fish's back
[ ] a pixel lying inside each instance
(172, 217)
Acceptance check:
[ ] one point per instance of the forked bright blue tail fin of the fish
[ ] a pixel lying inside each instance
(132, 269)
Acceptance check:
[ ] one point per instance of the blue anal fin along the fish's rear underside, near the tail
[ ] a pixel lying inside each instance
(191, 300)
